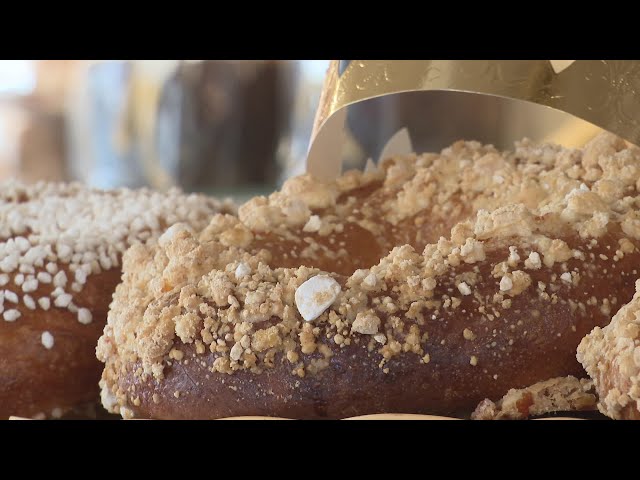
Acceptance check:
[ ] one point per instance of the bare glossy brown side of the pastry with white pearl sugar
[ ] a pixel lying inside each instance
(35, 381)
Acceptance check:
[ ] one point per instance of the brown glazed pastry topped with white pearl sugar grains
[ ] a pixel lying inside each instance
(60, 252)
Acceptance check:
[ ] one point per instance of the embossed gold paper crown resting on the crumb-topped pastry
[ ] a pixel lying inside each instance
(492, 101)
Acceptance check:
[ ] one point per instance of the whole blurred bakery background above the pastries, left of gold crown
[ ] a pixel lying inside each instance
(236, 128)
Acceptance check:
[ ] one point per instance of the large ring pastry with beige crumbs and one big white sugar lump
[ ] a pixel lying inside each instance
(436, 282)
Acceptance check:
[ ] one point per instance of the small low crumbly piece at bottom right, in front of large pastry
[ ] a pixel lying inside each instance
(562, 394)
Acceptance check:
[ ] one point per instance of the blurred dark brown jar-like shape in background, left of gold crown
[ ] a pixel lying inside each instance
(220, 123)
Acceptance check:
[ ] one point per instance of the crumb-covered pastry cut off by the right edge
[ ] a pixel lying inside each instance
(611, 357)
